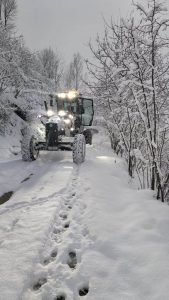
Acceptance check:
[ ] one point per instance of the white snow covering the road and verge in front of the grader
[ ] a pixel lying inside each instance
(116, 234)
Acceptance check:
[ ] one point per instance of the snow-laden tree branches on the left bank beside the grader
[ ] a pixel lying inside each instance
(21, 77)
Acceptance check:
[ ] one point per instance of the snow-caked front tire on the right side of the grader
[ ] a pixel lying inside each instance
(79, 149)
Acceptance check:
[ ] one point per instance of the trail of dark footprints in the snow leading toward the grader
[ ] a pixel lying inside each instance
(60, 227)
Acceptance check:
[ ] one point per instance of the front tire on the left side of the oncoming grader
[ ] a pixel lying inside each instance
(28, 151)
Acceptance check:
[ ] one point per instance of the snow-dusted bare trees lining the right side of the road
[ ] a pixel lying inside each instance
(131, 76)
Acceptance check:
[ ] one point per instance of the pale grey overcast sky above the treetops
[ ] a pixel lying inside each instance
(66, 25)
